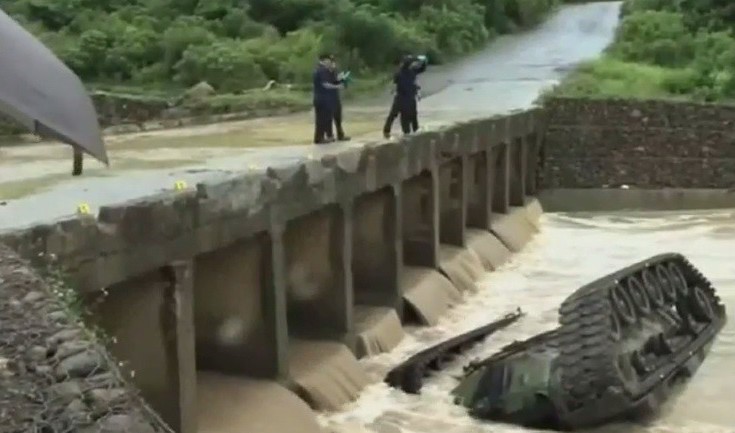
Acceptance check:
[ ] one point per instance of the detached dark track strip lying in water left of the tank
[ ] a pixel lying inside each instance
(409, 375)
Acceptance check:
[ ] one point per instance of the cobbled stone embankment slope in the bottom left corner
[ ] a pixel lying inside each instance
(54, 374)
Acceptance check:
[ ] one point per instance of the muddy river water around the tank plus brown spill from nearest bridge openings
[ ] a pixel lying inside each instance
(569, 251)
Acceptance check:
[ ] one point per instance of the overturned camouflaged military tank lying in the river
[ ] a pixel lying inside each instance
(624, 341)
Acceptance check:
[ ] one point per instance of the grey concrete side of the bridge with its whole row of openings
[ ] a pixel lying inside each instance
(225, 276)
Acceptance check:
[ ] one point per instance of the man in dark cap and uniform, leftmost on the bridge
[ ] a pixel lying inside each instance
(323, 99)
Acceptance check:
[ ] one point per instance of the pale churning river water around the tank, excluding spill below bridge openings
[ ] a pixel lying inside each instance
(570, 250)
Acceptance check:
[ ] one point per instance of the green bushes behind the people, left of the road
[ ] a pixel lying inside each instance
(160, 47)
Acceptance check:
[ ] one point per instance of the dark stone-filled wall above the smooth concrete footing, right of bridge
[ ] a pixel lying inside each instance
(641, 144)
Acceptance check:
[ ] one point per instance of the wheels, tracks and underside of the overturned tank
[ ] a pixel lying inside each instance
(663, 307)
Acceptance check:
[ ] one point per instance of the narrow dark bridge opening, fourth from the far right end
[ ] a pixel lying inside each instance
(480, 190)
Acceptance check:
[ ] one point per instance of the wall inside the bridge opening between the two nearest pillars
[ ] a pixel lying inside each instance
(230, 286)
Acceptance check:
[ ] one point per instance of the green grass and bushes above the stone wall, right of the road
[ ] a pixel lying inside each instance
(665, 48)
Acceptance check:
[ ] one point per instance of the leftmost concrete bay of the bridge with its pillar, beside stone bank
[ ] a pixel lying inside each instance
(148, 321)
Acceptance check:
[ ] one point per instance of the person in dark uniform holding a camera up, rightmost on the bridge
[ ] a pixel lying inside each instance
(406, 93)
